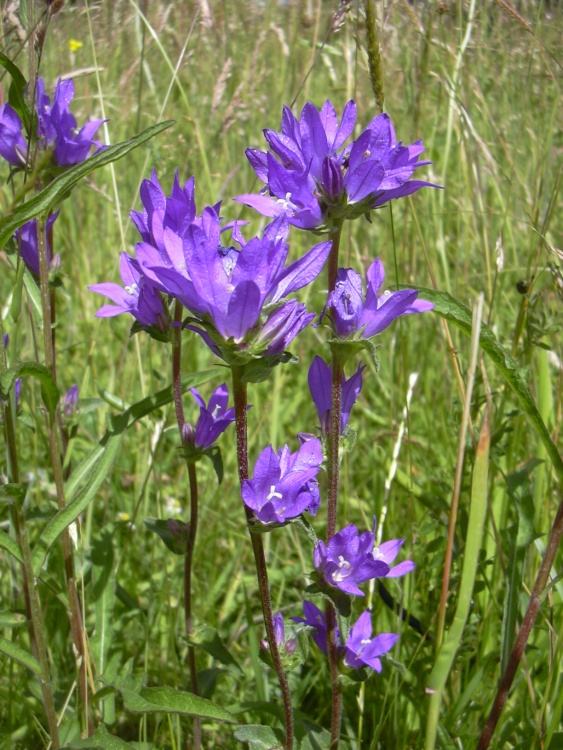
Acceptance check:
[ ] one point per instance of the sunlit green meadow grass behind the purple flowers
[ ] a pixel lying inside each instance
(480, 82)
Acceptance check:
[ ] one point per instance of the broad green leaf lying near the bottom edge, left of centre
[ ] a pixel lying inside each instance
(168, 700)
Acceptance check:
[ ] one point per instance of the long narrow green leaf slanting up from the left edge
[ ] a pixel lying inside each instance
(46, 200)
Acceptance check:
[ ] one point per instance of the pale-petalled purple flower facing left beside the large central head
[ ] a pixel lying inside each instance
(137, 296)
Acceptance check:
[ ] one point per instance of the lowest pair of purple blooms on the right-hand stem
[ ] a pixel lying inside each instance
(360, 649)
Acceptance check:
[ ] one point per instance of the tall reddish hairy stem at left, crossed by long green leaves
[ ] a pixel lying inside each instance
(76, 625)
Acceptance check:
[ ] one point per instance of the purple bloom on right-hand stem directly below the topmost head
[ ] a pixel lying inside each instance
(352, 315)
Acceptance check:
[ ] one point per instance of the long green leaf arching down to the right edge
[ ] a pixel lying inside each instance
(449, 308)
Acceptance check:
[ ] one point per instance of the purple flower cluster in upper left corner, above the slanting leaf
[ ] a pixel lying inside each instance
(56, 129)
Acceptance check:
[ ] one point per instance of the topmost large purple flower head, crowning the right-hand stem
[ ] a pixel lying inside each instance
(317, 179)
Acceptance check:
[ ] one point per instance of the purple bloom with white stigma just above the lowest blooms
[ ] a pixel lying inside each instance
(348, 561)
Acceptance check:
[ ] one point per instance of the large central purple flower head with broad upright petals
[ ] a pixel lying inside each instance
(236, 294)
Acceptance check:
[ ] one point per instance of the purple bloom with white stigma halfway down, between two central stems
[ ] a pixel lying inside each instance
(284, 484)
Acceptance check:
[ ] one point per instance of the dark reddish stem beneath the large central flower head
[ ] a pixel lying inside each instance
(241, 402)
